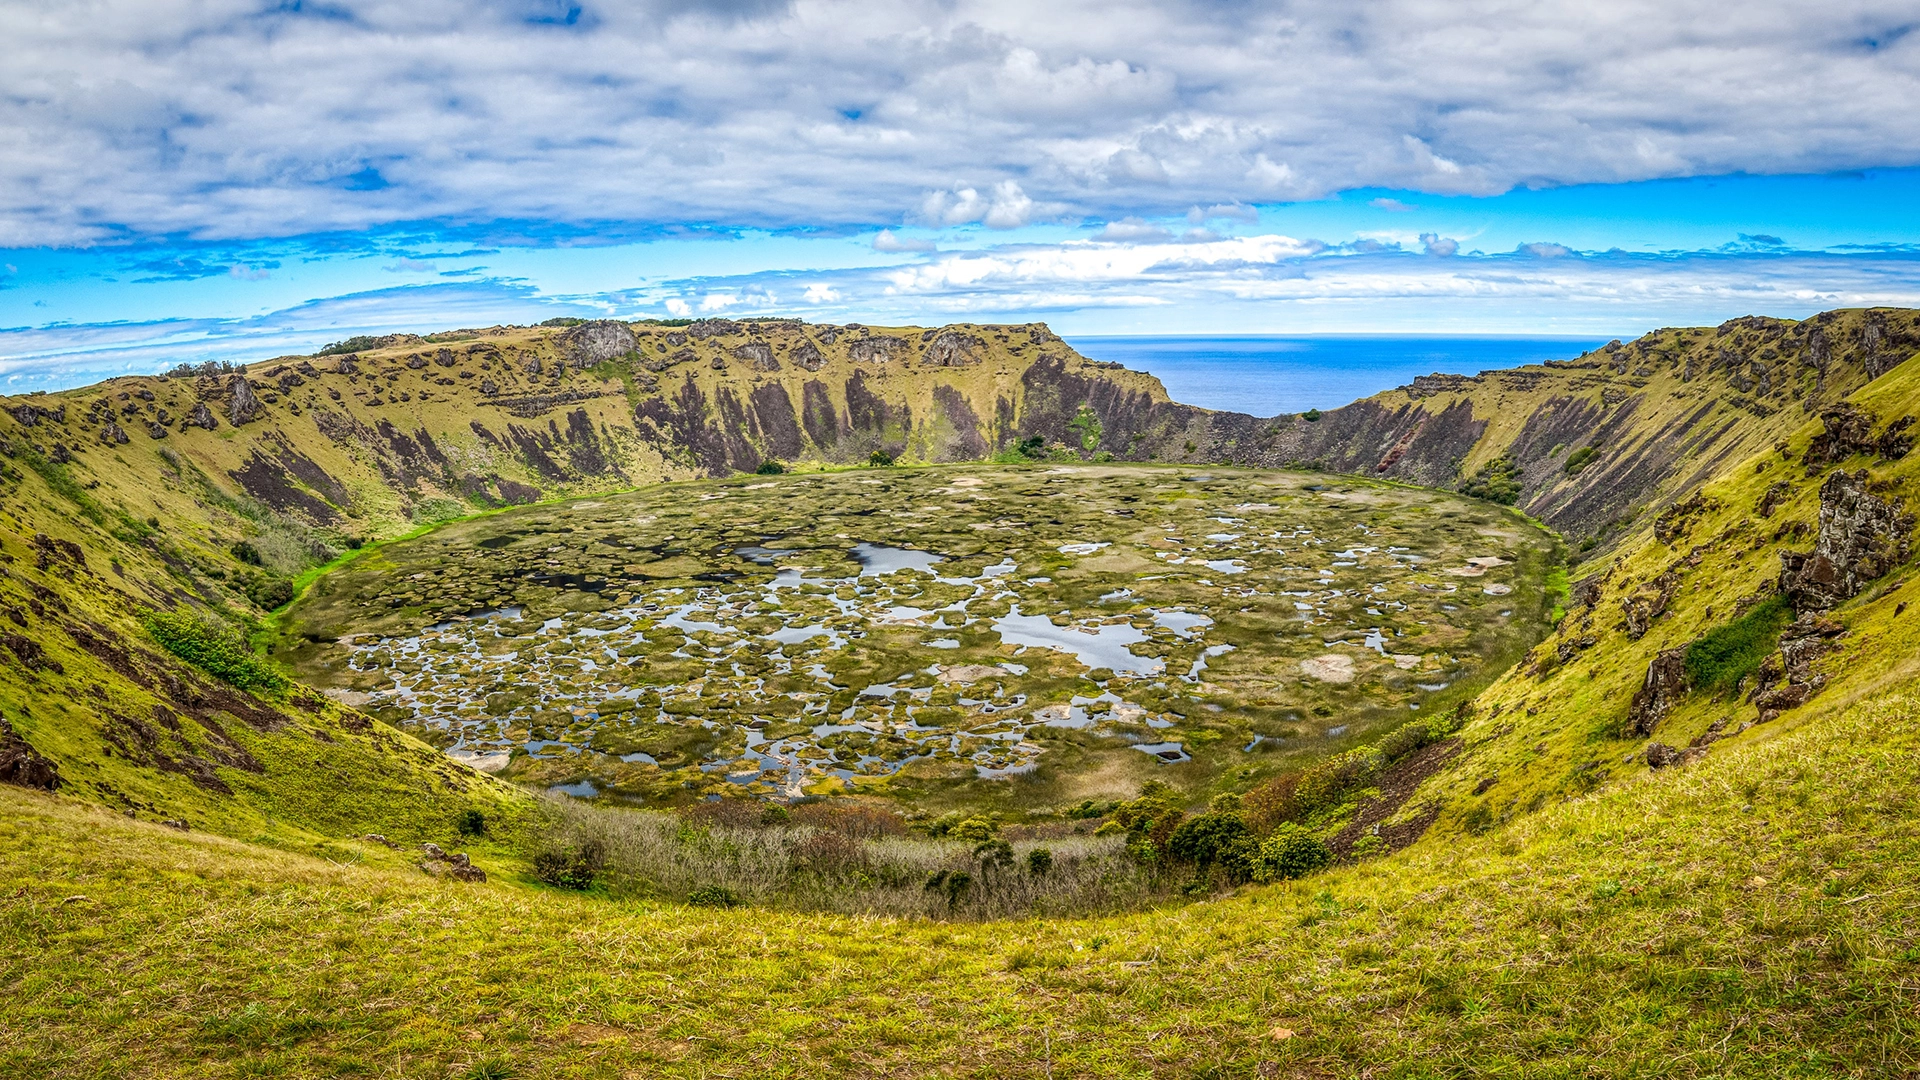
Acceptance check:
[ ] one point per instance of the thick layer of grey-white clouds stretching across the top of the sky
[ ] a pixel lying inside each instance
(258, 118)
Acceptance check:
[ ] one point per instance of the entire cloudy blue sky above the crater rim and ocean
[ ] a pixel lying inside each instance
(241, 180)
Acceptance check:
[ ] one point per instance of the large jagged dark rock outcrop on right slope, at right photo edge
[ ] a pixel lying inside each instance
(1861, 537)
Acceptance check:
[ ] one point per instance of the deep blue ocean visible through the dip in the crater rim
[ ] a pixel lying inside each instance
(1270, 376)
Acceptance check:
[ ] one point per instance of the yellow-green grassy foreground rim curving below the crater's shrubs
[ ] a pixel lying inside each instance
(1746, 918)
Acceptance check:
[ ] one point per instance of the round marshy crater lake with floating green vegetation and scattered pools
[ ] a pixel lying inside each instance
(949, 635)
